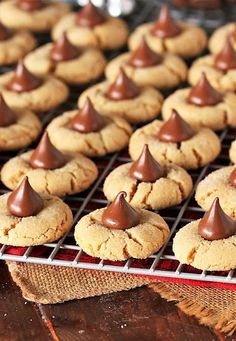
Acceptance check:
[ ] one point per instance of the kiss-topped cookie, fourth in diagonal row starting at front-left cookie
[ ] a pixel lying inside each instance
(125, 99)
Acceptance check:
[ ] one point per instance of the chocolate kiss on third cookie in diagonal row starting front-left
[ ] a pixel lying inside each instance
(88, 119)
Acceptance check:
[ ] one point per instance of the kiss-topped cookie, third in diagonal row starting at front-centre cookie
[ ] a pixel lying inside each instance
(200, 148)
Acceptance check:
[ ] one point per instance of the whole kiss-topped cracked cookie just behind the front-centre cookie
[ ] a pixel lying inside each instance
(149, 185)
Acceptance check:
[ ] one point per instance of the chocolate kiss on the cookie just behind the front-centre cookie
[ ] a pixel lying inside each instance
(146, 168)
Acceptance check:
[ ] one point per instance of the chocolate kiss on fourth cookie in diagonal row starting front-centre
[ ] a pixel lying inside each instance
(203, 94)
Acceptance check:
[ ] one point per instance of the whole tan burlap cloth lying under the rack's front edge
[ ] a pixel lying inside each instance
(48, 284)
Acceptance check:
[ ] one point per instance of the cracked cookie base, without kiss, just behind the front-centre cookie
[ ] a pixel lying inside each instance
(169, 190)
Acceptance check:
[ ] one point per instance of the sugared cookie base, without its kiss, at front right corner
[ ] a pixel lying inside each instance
(190, 248)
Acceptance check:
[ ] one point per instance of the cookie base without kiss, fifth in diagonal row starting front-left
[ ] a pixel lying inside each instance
(168, 74)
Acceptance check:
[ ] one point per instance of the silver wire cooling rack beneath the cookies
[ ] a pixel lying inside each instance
(163, 264)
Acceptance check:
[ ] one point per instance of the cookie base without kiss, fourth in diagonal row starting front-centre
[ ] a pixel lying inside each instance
(215, 117)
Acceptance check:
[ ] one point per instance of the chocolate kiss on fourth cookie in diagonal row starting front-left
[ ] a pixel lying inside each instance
(123, 88)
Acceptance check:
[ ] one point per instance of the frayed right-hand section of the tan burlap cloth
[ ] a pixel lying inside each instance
(213, 307)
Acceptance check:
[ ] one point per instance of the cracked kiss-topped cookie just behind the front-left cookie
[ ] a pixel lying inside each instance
(74, 175)
